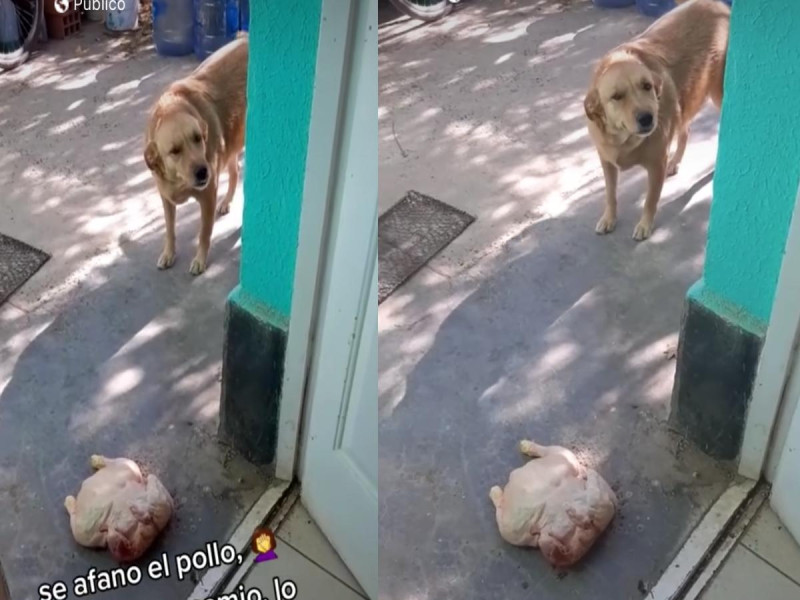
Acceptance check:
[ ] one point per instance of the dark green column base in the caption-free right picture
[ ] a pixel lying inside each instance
(716, 368)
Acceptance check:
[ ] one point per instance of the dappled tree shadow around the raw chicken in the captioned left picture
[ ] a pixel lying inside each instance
(130, 368)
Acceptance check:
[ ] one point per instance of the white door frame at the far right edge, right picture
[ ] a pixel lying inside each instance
(771, 408)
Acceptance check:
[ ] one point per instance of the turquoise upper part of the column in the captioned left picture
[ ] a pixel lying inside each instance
(283, 52)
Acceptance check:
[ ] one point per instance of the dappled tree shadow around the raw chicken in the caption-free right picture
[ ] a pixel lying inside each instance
(567, 344)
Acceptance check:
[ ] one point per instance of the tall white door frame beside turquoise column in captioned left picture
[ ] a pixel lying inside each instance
(322, 160)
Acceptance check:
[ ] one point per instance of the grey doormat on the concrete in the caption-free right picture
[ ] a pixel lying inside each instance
(411, 233)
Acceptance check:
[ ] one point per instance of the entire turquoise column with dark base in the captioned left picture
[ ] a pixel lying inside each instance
(280, 87)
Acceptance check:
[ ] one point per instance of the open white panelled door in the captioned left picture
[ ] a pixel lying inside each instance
(340, 451)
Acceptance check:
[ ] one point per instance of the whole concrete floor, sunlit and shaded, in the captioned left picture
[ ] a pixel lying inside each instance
(101, 352)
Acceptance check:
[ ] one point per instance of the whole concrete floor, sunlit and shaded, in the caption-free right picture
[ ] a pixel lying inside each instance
(528, 324)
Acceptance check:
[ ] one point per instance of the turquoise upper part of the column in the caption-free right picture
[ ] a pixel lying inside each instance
(758, 164)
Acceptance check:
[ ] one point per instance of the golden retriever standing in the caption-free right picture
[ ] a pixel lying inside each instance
(646, 92)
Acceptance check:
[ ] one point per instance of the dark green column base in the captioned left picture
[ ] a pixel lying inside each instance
(252, 376)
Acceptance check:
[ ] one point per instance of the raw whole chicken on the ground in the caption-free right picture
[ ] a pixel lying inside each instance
(553, 503)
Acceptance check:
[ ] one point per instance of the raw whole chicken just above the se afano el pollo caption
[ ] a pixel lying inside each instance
(119, 507)
